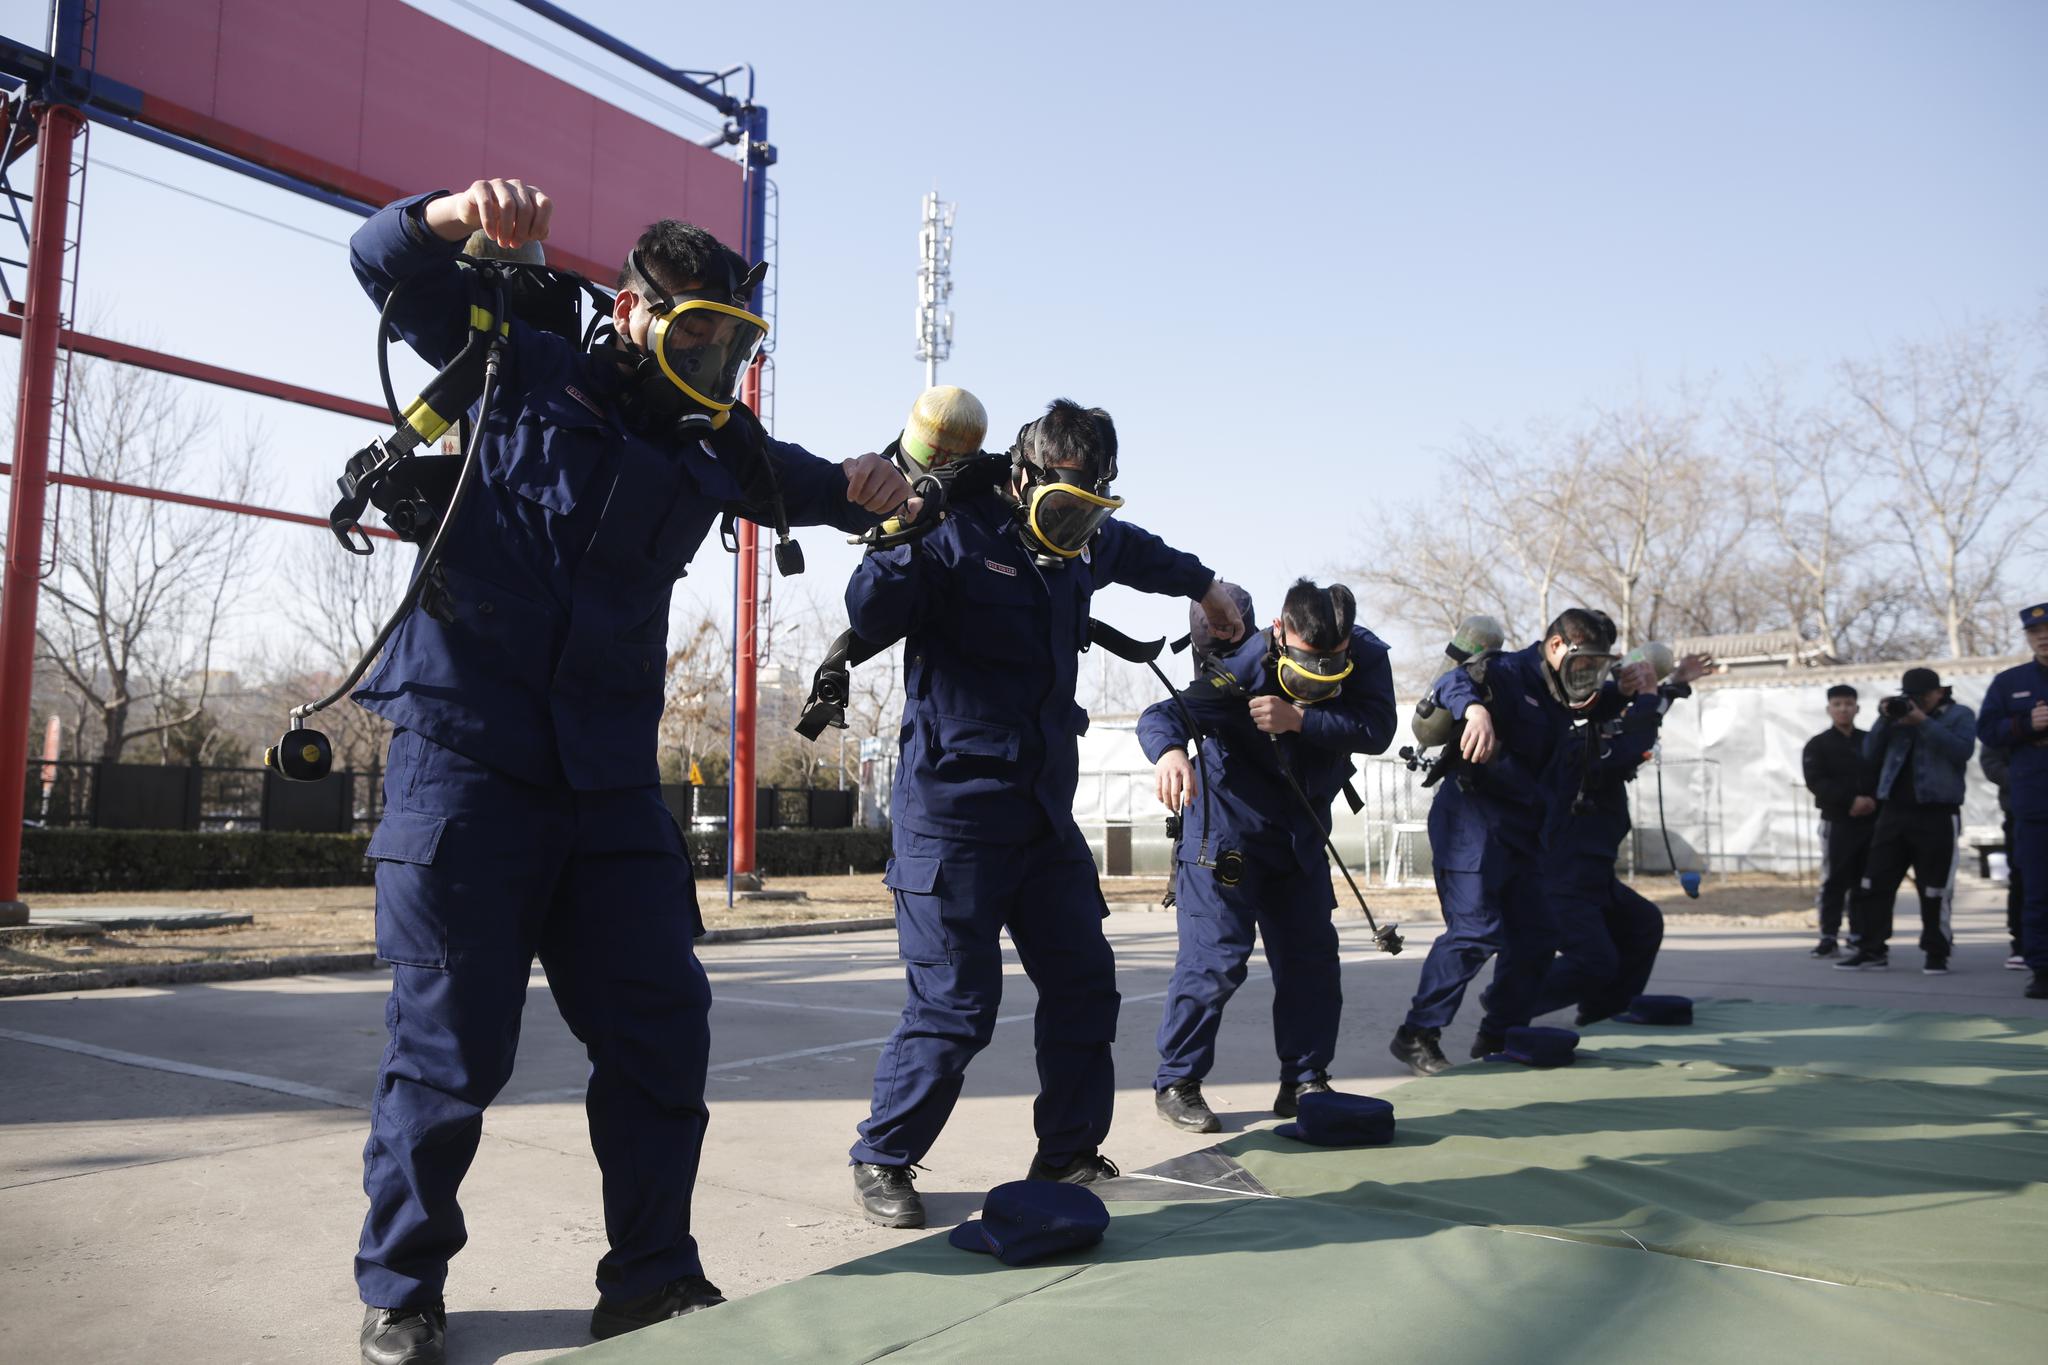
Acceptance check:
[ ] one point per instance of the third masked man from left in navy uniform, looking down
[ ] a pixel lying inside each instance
(1306, 695)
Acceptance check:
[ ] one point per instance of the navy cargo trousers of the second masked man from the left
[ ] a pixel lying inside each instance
(953, 901)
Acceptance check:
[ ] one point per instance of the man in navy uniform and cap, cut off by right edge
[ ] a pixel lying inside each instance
(2016, 719)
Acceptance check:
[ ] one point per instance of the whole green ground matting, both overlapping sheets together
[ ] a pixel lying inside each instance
(1777, 1182)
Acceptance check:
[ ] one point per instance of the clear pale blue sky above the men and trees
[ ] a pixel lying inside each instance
(1291, 249)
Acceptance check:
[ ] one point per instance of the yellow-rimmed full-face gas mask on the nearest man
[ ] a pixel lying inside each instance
(699, 351)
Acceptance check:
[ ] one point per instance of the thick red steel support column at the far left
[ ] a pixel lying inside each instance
(56, 128)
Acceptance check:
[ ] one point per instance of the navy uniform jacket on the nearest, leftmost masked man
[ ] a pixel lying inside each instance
(566, 554)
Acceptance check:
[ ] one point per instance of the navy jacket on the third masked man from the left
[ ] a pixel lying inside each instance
(1242, 801)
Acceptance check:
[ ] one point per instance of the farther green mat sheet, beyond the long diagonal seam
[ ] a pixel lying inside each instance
(1842, 1145)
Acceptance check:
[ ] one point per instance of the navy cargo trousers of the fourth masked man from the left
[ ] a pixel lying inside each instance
(1492, 912)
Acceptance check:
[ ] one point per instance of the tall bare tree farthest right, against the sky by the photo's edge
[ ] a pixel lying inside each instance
(1953, 421)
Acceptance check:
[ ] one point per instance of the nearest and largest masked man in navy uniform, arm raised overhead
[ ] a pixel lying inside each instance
(523, 809)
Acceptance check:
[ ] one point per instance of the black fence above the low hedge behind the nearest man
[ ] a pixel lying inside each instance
(71, 795)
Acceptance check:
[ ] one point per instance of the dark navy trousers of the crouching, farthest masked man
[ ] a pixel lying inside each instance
(1607, 942)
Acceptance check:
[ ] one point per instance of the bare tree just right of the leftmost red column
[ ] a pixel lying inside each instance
(140, 588)
